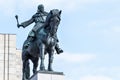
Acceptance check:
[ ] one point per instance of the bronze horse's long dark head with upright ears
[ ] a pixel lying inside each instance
(54, 20)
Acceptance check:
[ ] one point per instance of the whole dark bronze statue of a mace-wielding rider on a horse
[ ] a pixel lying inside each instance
(40, 42)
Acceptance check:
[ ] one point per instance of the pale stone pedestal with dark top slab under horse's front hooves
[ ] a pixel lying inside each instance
(47, 75)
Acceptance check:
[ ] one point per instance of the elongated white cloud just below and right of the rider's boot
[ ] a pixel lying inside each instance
(76, 57)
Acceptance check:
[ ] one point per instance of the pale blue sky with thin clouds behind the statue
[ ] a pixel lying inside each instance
(89, 34)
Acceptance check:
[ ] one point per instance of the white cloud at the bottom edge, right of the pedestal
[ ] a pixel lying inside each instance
(95, 78)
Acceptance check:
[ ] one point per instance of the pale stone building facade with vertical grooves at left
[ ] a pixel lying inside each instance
(10, 58)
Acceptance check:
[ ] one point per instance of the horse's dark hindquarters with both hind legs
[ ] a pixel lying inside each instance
(29, 52)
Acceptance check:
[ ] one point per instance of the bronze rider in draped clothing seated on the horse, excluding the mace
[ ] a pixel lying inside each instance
(39, 18)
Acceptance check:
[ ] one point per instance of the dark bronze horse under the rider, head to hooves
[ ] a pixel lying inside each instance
(43, 43)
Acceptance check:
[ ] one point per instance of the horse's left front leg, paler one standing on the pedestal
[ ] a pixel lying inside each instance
(42, 57)
